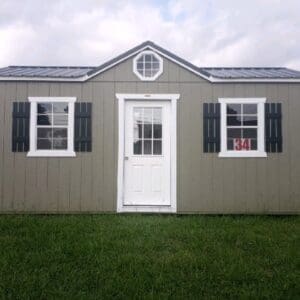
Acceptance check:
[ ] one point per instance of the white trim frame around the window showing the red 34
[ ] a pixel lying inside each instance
(260, 152)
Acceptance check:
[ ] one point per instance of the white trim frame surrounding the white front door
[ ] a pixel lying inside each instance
(120, 195)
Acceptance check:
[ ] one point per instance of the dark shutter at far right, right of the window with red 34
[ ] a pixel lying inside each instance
(273, 127)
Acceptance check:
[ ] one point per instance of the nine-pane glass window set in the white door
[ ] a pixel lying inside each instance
(147, 131)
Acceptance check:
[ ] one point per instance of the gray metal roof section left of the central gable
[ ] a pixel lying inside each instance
(44, 71)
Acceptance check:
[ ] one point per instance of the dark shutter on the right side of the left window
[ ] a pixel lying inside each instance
(83, 127)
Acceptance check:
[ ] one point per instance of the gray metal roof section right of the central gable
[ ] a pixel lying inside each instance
(249, 73)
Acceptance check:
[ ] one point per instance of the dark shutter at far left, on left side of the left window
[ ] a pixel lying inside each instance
(20, 126)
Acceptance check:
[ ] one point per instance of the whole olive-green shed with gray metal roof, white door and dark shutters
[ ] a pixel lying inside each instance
(149, 132)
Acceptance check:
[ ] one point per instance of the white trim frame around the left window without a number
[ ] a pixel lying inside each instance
(33, 152)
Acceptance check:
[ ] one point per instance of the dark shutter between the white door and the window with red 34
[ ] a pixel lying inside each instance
(211, 127)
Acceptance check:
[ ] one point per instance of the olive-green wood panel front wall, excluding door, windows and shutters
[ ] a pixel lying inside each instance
(205, 183)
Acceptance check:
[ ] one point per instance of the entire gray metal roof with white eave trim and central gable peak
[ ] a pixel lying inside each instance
(83, 73)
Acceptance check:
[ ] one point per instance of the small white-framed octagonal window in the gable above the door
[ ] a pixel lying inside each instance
(147, 65)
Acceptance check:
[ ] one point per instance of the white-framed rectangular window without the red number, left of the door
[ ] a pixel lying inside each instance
(51, 126)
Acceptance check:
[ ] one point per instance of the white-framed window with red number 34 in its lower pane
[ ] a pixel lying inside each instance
(242, 127)
